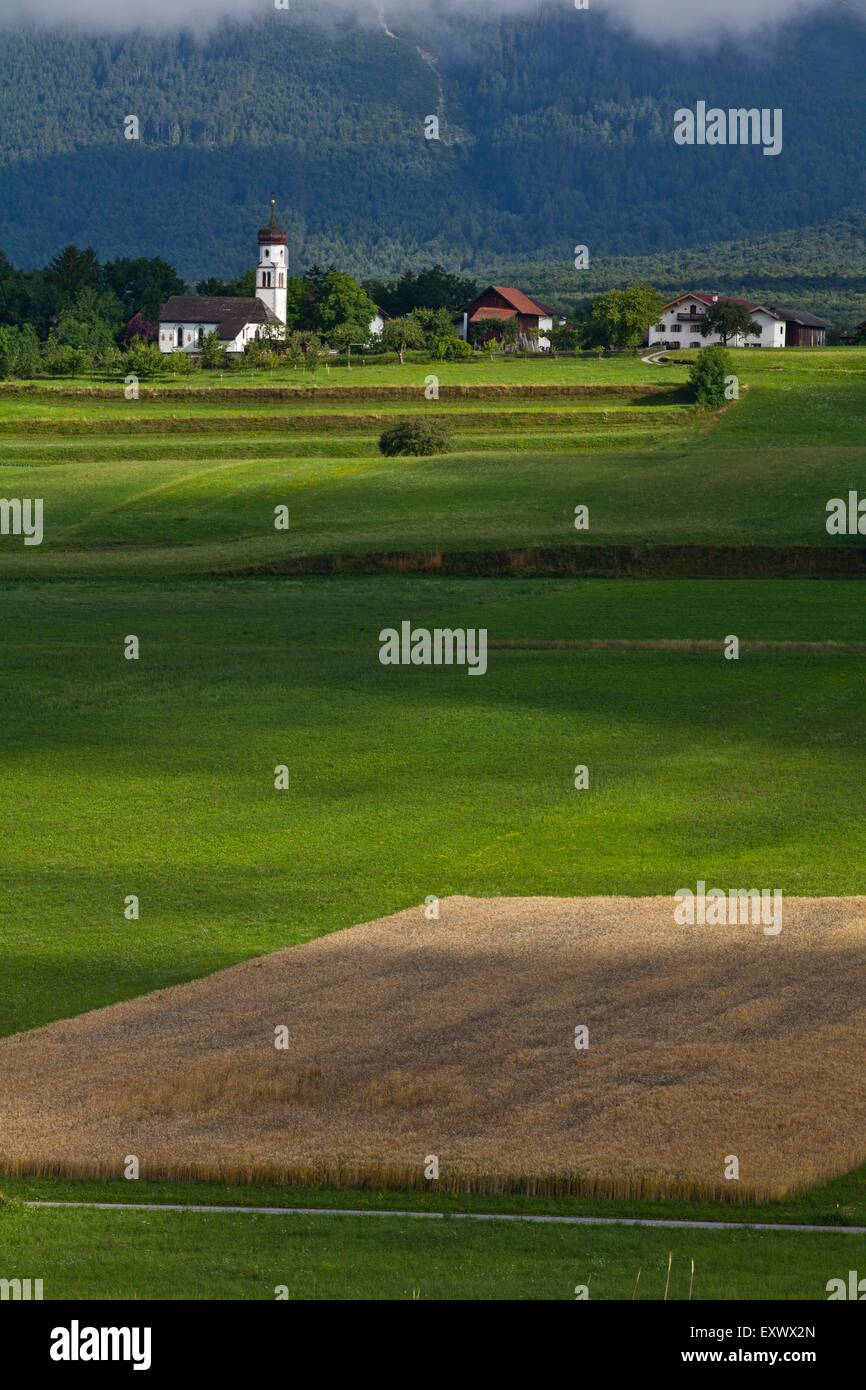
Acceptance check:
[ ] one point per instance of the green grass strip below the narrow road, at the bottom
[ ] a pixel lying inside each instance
(91, 1254)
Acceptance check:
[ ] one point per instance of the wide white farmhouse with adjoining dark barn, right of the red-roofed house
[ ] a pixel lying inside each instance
(680, 326)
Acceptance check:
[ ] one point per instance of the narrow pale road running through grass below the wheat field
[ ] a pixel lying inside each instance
(561, 1221)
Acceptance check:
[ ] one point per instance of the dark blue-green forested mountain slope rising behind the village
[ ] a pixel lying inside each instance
(557, 130)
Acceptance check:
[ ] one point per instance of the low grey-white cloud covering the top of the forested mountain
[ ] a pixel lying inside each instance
(655, 20)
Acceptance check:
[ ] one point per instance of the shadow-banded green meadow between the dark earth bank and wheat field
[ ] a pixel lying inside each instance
(156, 778)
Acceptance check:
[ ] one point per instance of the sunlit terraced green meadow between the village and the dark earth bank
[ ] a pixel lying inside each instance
(187, 483)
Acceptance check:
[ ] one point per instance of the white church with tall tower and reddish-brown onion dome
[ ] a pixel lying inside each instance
(187, 320)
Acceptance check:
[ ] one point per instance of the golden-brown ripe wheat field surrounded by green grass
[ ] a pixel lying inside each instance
(409, 1039)
